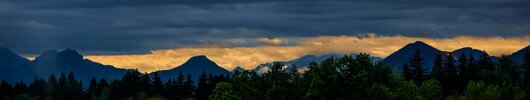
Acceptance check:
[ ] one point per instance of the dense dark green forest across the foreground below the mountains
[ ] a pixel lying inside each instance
(346, 78)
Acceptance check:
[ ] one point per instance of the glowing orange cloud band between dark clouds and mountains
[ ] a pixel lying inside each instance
(250, 57)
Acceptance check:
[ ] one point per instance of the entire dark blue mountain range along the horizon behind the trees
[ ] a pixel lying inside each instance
(14, 67)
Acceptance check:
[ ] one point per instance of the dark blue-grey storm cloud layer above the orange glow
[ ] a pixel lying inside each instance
(137, 26)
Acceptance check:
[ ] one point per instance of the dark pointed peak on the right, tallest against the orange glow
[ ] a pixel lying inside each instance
(400, 57)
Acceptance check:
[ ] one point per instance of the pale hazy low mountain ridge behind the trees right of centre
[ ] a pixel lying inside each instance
(303, 62)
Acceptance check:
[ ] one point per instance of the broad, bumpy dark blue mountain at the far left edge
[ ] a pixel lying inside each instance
(54, 62)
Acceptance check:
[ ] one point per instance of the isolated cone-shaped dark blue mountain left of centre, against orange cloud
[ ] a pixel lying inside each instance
(194, 66)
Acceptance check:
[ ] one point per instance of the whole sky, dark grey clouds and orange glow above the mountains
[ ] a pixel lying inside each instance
(161, 34)
